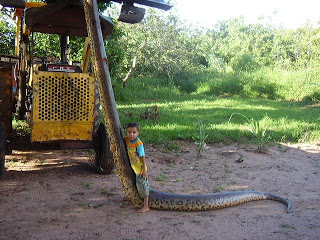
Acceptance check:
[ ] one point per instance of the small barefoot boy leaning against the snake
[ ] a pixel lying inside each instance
(138, 162)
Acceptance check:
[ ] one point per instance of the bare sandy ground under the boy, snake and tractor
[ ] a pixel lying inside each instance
(57, 195)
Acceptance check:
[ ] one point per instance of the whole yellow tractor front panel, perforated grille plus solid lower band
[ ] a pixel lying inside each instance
(62, 106)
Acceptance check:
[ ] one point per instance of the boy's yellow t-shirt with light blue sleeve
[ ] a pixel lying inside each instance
(135, 151)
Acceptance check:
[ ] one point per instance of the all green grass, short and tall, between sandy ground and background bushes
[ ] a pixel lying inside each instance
(278, 105)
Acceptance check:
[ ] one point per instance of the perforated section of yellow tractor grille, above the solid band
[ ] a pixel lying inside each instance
(64, 98)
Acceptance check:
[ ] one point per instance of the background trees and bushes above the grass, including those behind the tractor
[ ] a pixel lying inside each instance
(163, 46)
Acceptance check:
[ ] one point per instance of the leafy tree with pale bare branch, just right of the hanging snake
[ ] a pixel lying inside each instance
(162, 47)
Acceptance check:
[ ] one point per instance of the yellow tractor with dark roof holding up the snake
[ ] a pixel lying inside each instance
(57, 97)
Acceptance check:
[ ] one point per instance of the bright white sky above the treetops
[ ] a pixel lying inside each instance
(286, 13)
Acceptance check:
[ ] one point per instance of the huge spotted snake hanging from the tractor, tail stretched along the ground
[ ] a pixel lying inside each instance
(157, 200)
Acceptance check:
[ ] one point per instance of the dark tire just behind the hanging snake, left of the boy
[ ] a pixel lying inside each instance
(103, 157)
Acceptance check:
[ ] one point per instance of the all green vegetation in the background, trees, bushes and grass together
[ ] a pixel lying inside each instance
(246, 82)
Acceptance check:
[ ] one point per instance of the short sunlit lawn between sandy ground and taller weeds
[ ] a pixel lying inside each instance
(284, 121)
